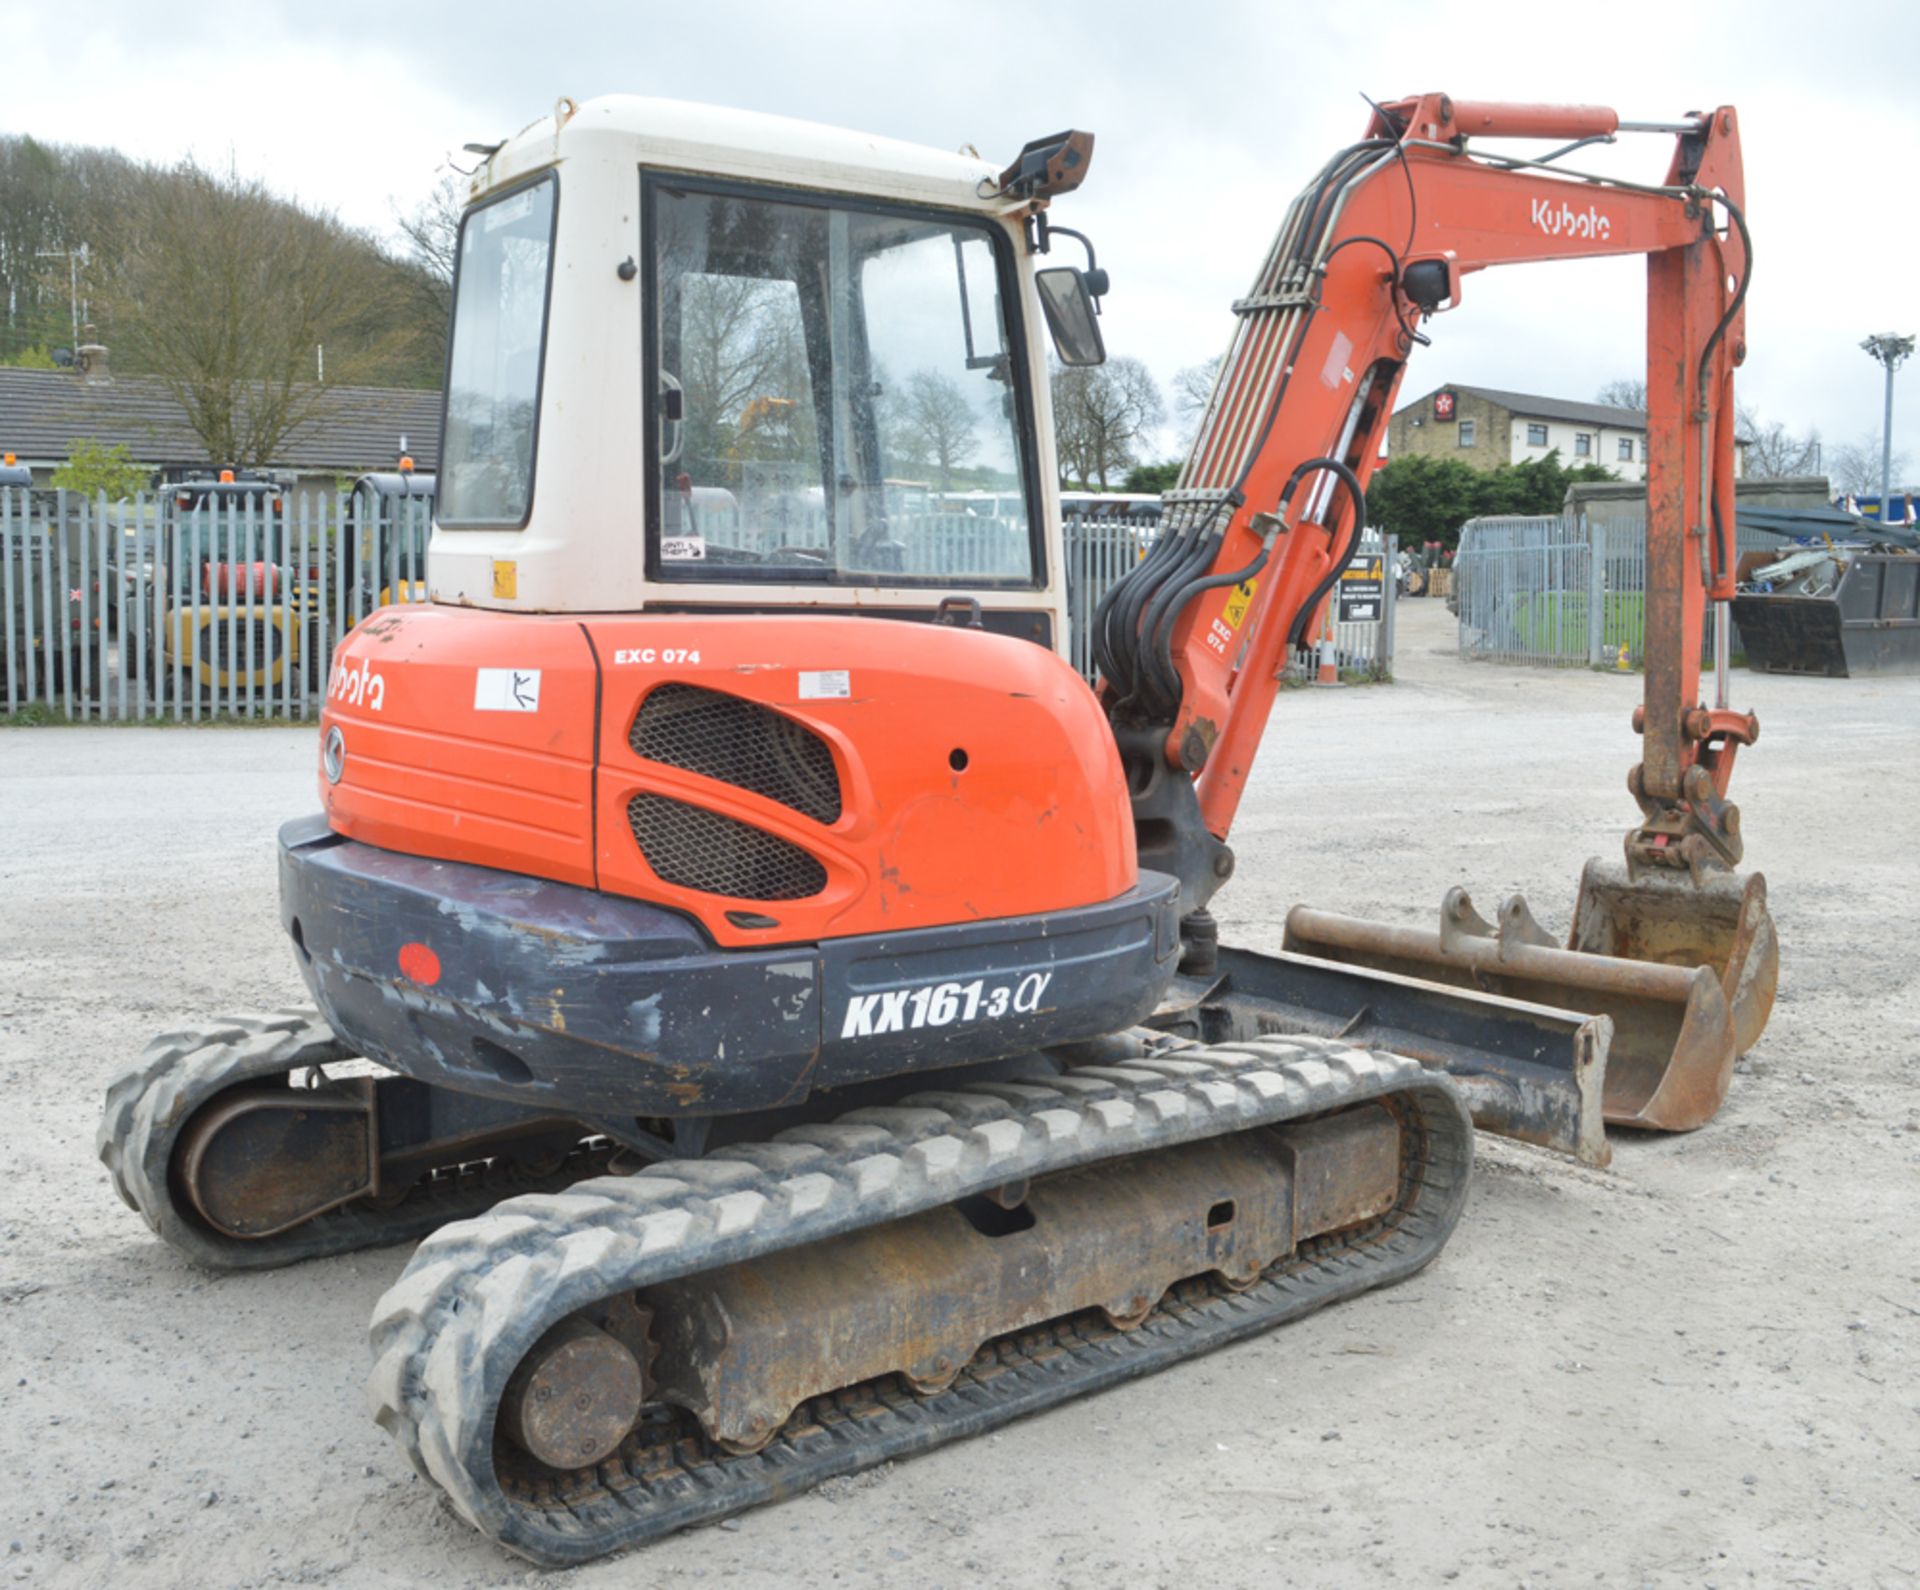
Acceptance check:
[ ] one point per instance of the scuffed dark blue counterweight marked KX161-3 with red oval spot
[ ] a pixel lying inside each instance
(600, 1005)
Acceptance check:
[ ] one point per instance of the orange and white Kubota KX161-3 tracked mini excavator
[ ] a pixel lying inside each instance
(727, 861)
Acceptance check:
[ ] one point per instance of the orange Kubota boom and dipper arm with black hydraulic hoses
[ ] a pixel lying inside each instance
(1266, 510)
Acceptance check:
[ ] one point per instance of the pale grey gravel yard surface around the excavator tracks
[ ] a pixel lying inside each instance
(1696, 1368)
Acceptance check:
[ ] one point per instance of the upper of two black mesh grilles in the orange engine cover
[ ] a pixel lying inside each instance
(738, 742)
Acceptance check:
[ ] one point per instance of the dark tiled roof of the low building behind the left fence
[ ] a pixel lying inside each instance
(354, 427)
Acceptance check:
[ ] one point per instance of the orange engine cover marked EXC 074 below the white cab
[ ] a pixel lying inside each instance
(782, 779)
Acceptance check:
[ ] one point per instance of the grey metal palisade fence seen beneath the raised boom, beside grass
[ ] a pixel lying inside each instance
(1560, 590)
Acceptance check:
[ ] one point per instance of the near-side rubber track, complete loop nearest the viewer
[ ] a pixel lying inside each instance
(481, 1293)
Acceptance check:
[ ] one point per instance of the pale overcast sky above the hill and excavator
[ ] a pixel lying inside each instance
(1209, 120)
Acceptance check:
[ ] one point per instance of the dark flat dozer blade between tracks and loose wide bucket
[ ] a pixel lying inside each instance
(1527, 1071)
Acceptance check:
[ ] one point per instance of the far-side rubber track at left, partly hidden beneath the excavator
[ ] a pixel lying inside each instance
(151, 1105)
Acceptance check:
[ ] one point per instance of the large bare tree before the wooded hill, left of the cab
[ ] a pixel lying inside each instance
(226, 293)
